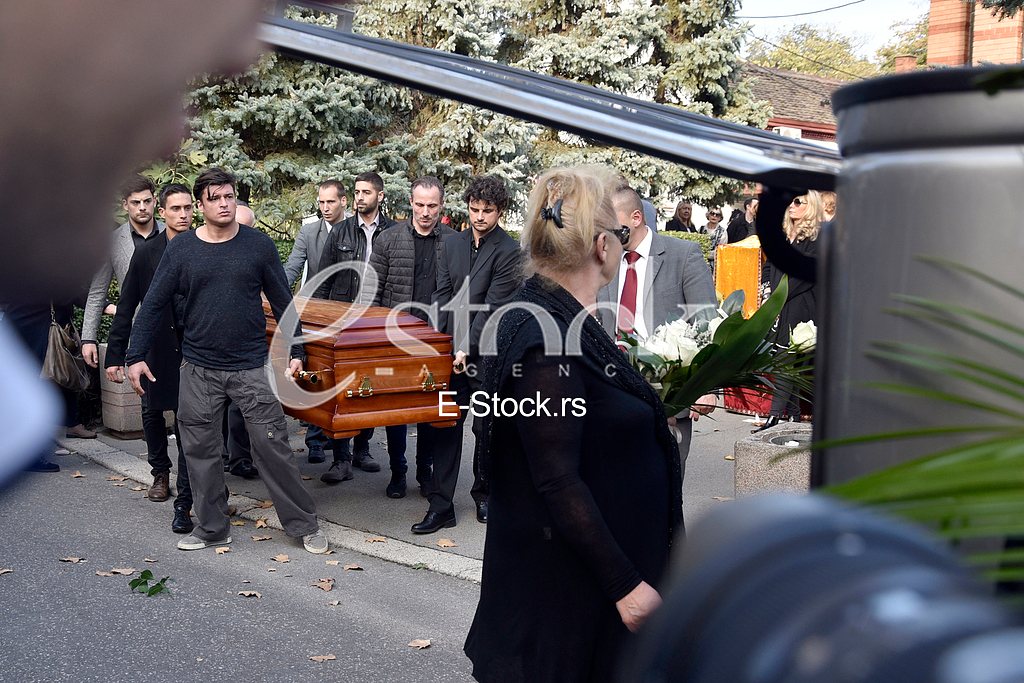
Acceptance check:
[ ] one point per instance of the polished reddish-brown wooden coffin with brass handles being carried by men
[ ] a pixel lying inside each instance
(371, 367)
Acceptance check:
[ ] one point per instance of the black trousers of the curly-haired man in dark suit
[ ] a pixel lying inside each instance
(448, 453)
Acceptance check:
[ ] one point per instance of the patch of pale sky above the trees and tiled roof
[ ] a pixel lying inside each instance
(870, 19)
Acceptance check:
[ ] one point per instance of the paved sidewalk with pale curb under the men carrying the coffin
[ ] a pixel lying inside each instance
(354, 511)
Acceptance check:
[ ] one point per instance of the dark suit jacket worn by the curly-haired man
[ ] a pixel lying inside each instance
(493, 280)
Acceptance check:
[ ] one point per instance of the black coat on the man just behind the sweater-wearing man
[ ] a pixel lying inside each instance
(164, 358)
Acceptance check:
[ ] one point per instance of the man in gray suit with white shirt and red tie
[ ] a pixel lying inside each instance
(671, 280)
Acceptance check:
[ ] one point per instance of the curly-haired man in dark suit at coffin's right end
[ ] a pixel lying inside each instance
(478, 269)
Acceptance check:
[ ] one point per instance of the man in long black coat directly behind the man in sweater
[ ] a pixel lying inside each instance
(164, 357)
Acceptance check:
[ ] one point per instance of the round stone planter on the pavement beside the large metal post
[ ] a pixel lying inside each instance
(755, 474)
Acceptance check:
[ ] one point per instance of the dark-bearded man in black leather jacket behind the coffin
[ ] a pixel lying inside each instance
(353, 242)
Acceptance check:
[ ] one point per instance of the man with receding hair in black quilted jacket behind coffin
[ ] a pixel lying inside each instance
(406, 262)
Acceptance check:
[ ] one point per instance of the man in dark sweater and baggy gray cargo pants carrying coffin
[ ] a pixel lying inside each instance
(221, 270)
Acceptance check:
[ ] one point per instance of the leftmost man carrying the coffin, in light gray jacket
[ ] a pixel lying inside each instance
(139, 199)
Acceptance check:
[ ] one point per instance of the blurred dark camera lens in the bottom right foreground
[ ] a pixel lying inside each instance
(784, 588)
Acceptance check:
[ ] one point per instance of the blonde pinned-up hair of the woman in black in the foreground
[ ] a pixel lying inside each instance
(585, 194)
